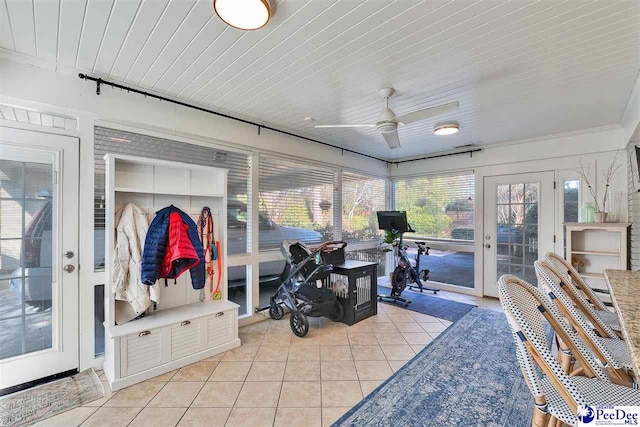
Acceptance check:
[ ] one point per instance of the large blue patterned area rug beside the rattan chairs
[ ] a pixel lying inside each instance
(454, 381)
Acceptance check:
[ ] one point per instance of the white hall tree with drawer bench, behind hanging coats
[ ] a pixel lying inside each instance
(181, 329)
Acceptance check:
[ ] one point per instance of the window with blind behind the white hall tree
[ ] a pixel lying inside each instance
(134, 144)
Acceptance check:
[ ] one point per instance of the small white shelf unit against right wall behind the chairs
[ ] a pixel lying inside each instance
(599, 246)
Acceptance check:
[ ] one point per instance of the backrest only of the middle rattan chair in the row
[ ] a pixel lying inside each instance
(555, 282)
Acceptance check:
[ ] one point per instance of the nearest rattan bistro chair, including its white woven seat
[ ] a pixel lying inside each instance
(557, 394)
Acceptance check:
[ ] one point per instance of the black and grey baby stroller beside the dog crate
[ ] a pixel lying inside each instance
(298, 290)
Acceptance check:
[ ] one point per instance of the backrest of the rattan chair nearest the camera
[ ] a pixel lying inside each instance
(525, 308)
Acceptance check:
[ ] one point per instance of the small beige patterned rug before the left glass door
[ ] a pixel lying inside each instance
(35, 404)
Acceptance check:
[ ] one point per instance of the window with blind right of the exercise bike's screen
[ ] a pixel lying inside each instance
(438, 206)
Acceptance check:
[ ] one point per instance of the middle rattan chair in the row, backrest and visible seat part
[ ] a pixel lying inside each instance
(612, 352)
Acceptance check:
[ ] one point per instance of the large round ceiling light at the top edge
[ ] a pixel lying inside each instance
(243, 14)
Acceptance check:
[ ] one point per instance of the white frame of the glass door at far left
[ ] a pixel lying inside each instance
(64, 353)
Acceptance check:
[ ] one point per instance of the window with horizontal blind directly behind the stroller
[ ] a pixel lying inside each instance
(296, 202)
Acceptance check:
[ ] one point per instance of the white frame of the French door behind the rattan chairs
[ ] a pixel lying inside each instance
(546, 220)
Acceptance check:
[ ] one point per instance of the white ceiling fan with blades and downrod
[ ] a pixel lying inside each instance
(388, 123)
